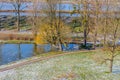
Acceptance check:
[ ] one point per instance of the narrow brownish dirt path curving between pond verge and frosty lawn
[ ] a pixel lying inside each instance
(15, 65)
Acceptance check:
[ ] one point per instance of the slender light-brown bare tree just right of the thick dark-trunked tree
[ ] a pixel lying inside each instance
(96, 18)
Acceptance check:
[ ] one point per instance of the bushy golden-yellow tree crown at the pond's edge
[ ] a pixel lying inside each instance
(52, 34)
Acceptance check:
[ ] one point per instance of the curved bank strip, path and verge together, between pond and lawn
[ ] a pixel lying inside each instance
(37, 58)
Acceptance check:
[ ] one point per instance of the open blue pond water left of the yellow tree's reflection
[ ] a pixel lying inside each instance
(14, 52)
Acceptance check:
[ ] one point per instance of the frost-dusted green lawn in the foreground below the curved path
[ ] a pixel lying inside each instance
(78, 66)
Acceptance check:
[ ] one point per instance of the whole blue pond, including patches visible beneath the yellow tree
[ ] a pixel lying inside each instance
(14, 52)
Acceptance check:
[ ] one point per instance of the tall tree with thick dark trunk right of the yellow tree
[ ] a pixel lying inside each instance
(83, 9)
